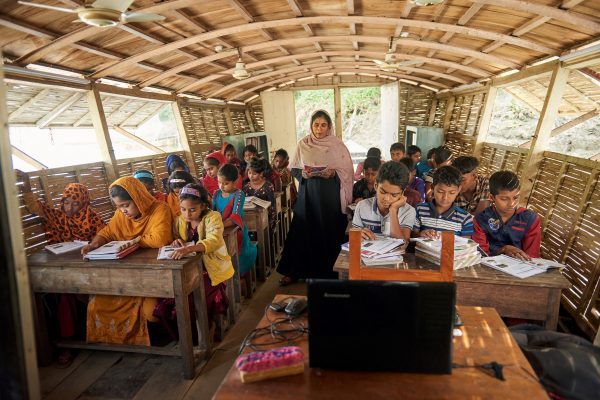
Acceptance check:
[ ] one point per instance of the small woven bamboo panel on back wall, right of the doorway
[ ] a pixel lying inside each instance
(414, 107)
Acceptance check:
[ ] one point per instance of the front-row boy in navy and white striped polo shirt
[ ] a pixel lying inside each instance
(440, 214)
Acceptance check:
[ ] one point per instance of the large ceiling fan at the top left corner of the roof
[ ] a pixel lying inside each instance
(102, 13)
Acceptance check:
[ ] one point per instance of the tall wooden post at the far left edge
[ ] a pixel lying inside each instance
(17, 272)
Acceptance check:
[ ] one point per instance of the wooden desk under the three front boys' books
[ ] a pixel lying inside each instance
(536, 297)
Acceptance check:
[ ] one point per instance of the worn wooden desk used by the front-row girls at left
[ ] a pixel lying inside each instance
(139, 274)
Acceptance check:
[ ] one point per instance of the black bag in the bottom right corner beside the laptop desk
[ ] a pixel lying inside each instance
(568, 366)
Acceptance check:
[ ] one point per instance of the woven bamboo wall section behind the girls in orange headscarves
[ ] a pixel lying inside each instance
(48, 185)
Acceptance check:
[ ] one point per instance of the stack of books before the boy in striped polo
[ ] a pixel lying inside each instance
(465, 251)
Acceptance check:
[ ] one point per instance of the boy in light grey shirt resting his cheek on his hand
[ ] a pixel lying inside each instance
(387, 213)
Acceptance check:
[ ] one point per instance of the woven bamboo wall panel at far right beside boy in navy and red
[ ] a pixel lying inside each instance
(567, 196)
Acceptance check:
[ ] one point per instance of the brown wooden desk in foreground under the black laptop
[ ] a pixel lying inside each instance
(485, 339)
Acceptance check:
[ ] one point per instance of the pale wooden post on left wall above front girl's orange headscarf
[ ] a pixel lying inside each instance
(102, 134)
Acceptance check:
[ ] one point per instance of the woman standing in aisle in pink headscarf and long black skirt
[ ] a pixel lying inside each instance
(319, 223)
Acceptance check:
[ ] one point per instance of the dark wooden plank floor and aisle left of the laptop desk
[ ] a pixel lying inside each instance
(97, 375)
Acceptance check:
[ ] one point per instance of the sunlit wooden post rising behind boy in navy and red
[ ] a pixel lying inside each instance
(544, 128)
